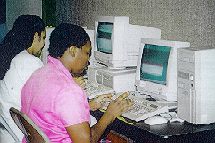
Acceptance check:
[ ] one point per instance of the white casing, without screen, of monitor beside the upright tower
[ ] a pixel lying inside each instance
(166, 92)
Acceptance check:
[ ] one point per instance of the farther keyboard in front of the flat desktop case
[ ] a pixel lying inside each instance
(94, 89)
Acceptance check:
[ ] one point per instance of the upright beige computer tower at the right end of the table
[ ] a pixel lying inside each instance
(196, 85)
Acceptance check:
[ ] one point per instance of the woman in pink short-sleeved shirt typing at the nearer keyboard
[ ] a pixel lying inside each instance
(53, 100)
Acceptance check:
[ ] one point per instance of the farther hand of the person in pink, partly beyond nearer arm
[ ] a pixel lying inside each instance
(99, 101)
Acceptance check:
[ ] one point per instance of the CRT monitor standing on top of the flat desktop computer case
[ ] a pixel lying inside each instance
(117, 41)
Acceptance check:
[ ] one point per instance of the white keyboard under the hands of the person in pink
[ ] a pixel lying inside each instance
(142, 108)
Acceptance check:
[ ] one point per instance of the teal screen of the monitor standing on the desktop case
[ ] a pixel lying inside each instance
(103, 38)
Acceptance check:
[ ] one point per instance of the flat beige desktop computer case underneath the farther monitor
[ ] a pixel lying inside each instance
(119, 80)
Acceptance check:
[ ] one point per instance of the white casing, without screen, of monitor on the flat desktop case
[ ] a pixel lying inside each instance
(125, 42)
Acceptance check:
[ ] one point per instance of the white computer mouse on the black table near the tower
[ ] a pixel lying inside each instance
(156, 120)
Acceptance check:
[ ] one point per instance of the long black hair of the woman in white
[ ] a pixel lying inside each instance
(19, 38)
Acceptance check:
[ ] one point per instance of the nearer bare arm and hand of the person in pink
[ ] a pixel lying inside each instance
(83, 133)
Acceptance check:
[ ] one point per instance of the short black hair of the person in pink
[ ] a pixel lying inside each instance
(64, 36)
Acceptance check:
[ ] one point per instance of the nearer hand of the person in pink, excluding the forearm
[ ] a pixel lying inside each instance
(119, 106)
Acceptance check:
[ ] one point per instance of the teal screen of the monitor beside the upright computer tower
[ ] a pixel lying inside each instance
(154, 63)
